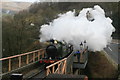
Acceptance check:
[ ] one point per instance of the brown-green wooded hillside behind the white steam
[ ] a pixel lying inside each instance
(21, 31)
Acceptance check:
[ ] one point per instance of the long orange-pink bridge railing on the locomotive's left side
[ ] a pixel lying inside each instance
(22, 59)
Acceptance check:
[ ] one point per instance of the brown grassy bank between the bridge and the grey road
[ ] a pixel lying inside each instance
(99, 67)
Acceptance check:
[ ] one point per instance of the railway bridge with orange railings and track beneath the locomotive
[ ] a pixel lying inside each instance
(28, 67)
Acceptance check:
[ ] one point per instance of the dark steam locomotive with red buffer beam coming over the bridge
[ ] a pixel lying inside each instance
(56, 51)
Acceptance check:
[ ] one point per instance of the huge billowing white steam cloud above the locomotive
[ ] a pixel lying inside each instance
(75, 29)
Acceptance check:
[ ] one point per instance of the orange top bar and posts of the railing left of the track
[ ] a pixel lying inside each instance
(35, 55)
